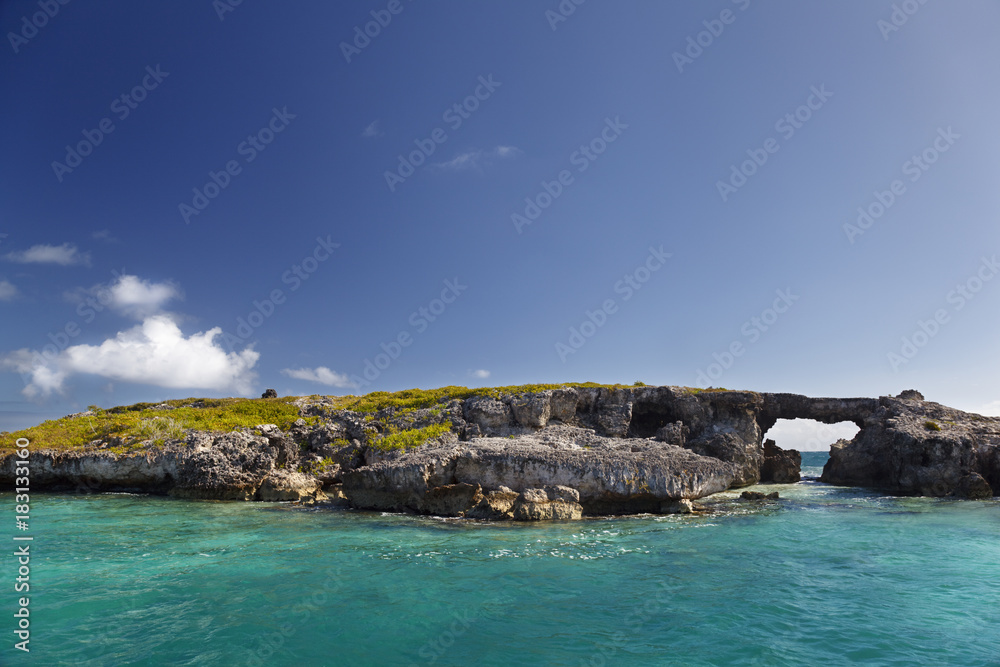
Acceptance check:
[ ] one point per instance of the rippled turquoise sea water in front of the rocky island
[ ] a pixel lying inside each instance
(824, 576)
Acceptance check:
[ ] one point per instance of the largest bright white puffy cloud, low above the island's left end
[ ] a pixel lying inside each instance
(154, 352)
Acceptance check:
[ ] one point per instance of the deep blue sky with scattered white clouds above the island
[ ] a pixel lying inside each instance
(214, 199)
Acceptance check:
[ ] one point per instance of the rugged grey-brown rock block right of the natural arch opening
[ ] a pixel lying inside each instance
(915, 447)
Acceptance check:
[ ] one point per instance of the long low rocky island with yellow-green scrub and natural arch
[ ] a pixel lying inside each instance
(523, 453)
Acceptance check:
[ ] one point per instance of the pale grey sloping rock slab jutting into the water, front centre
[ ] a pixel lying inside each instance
(610, 475)
